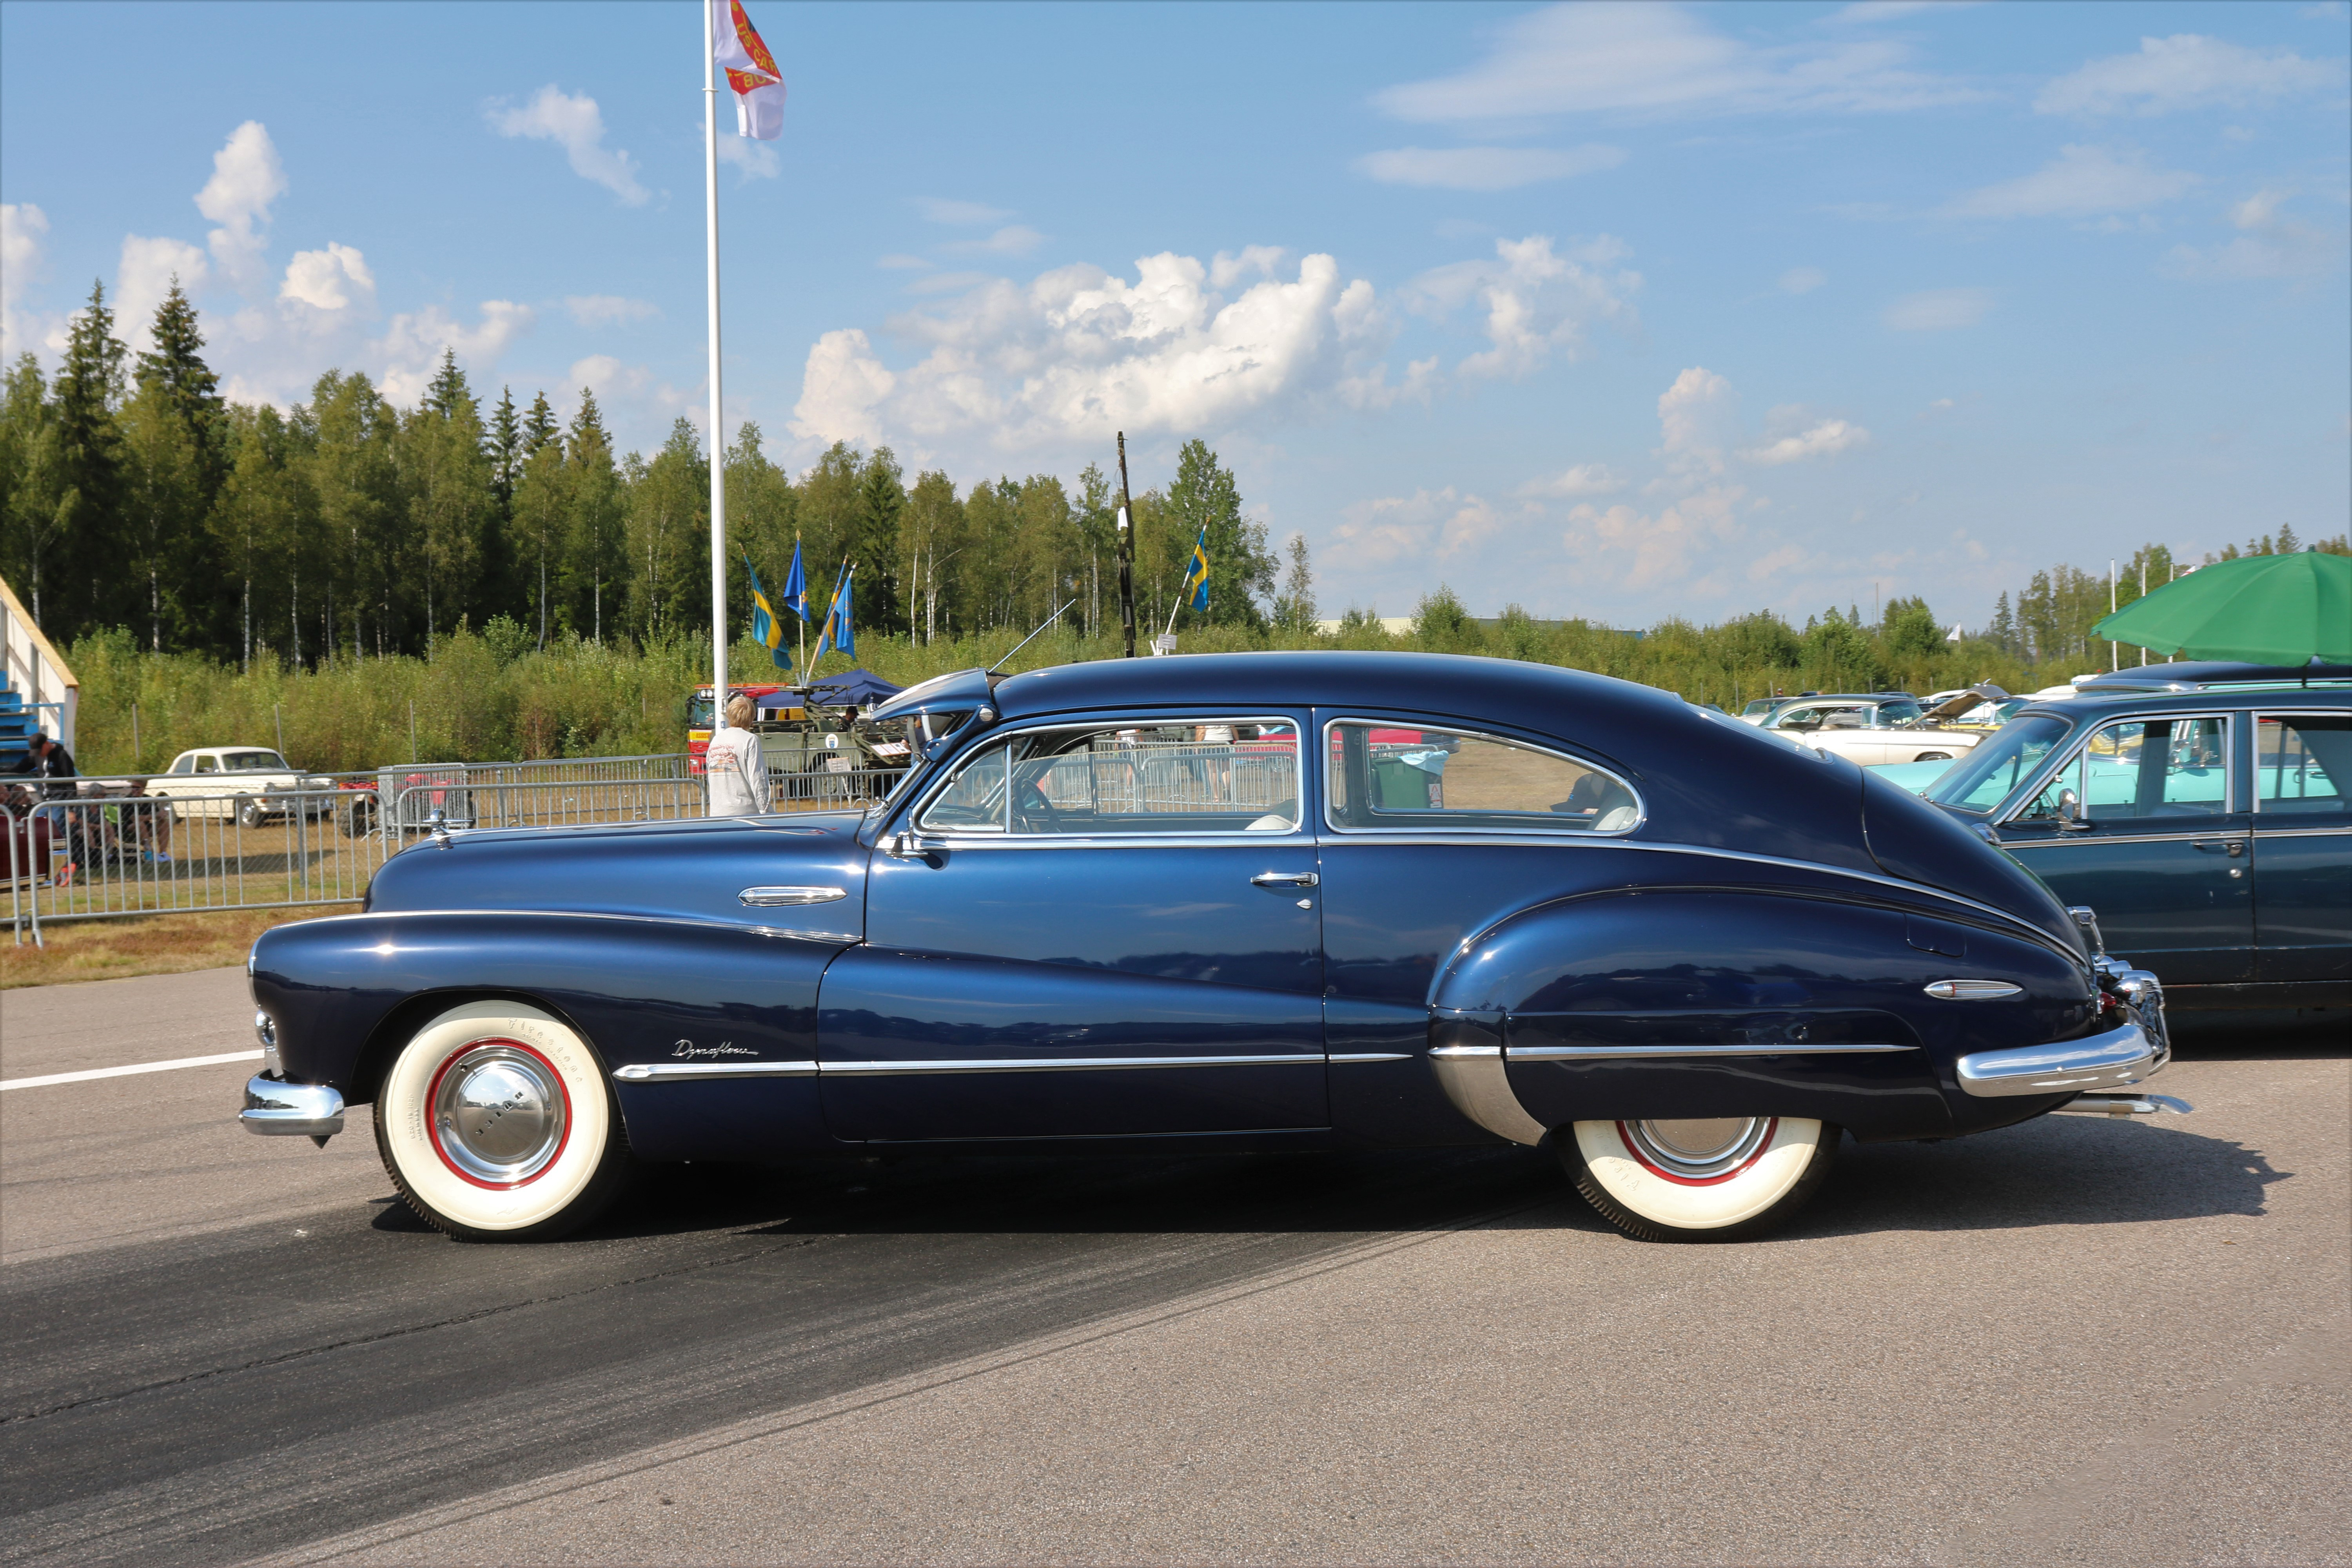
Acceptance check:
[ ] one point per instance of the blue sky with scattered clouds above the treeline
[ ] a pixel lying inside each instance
(1608, 311)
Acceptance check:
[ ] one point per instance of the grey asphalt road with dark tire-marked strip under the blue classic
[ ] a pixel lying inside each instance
(2071, 1341)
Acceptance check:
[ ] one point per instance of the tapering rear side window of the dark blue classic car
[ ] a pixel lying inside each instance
(1462, 782)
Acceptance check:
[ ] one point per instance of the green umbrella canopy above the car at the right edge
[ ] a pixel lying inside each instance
(2266, 610)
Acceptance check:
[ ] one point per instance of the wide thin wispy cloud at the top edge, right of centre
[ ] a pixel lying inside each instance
(1657, 60)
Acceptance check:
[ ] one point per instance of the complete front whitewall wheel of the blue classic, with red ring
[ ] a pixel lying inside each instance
(497, 1125)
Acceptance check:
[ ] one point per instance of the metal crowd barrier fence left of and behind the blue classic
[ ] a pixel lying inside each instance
(163, 847)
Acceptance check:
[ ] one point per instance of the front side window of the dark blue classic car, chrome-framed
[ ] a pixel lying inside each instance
(1142, 779)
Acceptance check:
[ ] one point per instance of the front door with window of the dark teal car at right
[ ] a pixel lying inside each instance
(2160, 847)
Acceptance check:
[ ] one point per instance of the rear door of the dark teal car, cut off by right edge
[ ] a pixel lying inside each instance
(2304, 845)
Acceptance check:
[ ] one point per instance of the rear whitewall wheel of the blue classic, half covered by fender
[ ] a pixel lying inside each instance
(1713, 1179)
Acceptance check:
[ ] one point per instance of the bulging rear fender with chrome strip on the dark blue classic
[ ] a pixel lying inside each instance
(1798, 1007)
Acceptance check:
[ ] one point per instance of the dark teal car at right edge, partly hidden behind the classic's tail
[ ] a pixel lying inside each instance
(2200, 808)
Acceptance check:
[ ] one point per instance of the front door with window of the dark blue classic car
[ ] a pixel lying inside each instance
(1109, 927)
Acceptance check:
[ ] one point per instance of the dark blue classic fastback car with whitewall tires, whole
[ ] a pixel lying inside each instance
(1288, 902)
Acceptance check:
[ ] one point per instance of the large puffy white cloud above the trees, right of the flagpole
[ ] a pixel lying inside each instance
(1081, 354)
